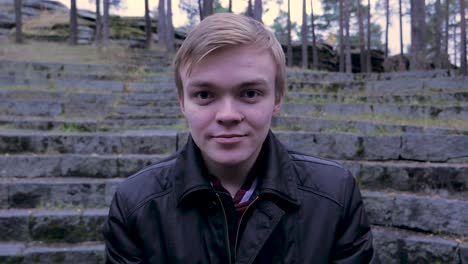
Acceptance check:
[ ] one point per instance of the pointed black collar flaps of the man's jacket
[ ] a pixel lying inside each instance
(278, 179)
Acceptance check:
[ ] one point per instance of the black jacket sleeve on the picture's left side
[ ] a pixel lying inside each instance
(121, 244)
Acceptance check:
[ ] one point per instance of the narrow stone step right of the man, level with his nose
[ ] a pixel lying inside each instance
(344, 109)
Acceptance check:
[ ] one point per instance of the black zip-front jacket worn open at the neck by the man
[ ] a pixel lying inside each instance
(308, 210)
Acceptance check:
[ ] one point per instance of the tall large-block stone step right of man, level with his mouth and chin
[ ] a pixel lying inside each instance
(409, 147)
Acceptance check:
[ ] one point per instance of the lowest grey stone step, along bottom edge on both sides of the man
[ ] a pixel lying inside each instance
(392, 245)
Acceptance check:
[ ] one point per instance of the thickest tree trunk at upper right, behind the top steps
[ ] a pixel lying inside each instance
(418, 29)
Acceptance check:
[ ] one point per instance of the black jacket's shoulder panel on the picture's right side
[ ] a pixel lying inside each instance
(326, 178)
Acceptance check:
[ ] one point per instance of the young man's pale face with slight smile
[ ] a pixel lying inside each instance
(228, 101)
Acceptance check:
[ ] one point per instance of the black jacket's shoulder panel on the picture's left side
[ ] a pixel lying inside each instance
(146, 184)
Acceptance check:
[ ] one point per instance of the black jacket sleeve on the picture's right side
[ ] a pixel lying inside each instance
(353, 243)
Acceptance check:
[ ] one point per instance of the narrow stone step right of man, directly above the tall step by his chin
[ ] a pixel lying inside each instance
(367, 127)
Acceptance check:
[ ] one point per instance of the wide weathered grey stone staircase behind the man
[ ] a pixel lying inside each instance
(69, 134)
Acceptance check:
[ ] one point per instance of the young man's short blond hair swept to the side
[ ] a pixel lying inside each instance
(227, 30)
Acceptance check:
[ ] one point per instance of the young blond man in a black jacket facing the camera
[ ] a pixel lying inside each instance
(234, 194)
